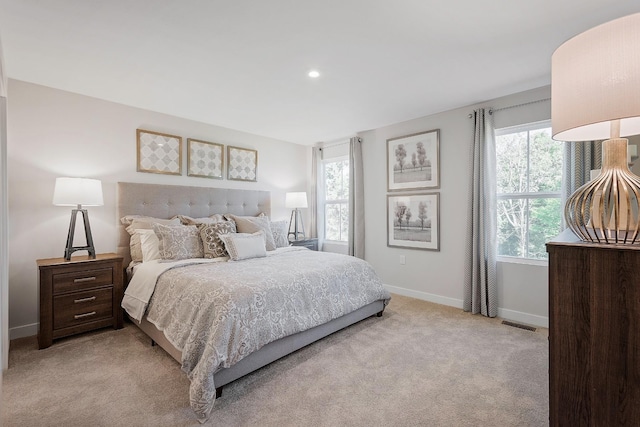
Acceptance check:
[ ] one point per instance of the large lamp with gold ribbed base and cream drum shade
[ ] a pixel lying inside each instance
(595, 95)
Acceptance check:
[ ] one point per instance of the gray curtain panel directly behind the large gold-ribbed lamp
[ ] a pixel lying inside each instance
(579, 159)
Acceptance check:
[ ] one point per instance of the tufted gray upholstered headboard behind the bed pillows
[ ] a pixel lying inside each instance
(166, 201)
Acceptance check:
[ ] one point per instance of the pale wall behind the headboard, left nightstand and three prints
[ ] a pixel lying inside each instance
(52, 133)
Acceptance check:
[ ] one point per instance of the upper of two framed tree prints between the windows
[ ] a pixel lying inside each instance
(413, 161)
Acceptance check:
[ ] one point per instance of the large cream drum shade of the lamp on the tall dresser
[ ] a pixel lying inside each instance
(595, 78)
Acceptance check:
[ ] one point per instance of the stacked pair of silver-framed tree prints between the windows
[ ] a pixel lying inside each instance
(413, 171)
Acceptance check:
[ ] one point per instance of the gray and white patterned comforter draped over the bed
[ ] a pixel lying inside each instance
(218, 313)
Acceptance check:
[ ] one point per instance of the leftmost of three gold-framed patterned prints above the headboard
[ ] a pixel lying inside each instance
(159, 152)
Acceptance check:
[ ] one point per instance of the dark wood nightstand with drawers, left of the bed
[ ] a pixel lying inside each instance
(79, 295)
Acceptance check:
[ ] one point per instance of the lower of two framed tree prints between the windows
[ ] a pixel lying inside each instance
(413, 221)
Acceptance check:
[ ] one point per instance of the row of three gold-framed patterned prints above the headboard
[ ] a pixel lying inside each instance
(162, 153)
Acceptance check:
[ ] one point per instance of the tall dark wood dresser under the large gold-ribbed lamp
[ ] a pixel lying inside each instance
(594, 333)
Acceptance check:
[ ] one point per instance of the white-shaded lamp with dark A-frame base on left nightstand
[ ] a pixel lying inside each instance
(78, 192)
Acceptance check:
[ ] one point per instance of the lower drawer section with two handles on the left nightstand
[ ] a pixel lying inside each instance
(82, 307)
